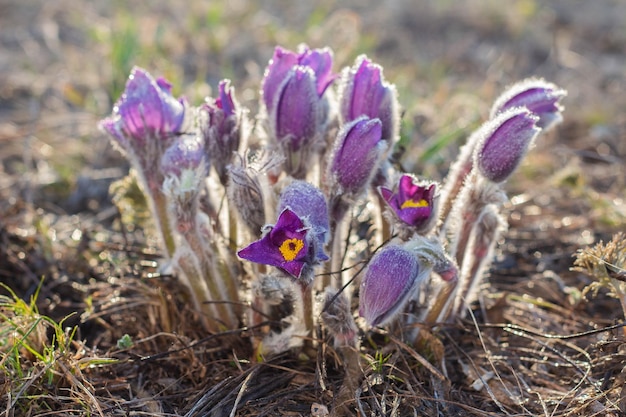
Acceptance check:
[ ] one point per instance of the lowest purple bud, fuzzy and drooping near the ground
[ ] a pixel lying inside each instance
(390, 281)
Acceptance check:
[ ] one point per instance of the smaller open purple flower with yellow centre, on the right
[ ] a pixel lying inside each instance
(414, 203)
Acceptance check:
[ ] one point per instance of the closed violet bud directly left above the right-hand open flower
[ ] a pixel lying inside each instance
(356, 155)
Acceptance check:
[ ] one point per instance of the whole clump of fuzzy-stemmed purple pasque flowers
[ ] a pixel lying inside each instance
(271, 214)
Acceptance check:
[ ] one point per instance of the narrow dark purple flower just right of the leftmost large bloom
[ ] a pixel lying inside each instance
(220, 122)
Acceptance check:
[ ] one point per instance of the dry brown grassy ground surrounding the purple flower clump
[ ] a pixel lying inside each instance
(106, 335)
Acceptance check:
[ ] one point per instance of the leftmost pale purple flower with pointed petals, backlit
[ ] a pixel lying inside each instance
(145, 111)
